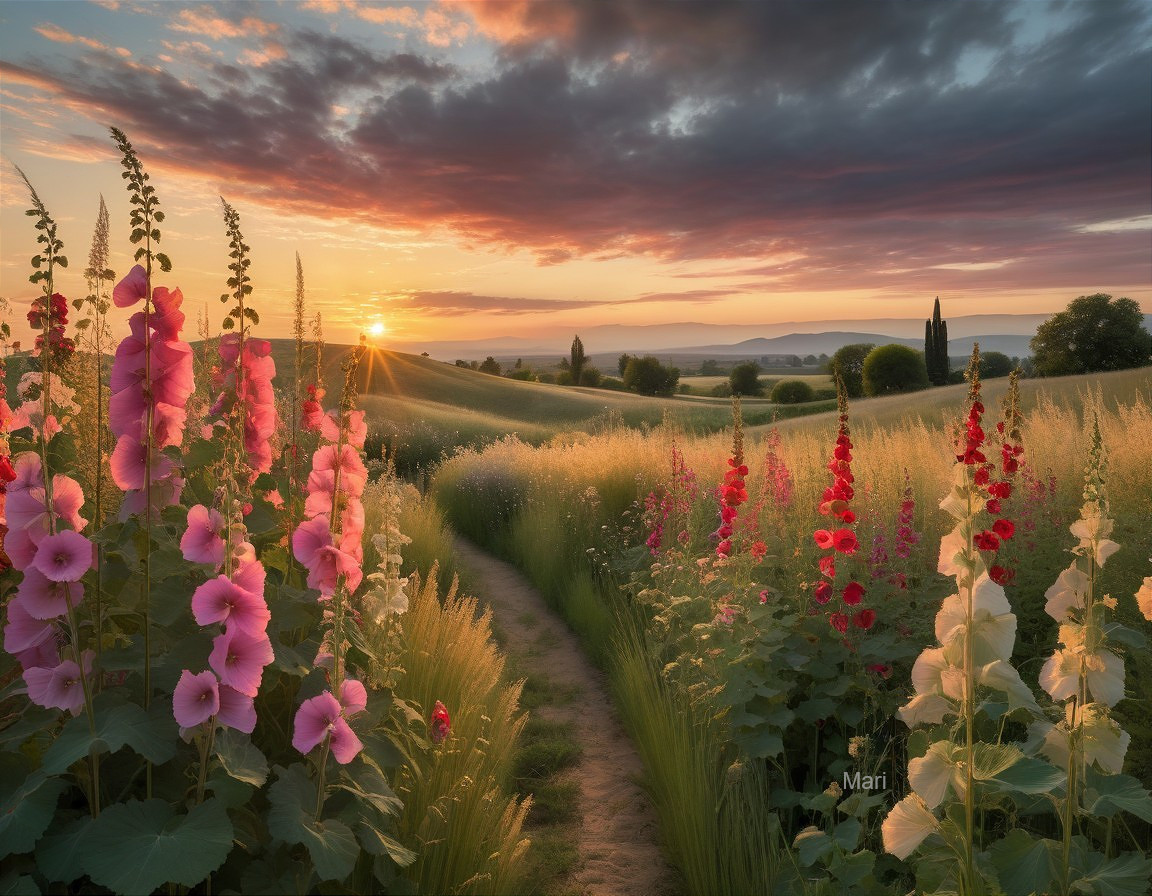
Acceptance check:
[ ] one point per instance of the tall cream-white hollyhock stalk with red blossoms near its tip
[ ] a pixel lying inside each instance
(976, 632)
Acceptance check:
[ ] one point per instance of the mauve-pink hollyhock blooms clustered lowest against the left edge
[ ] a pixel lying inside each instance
(54, 559)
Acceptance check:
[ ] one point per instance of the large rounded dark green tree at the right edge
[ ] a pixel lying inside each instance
(1094, 333)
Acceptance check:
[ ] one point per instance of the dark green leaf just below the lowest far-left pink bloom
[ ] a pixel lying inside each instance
(151, 734)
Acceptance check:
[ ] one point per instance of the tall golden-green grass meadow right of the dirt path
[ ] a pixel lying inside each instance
(574, 515)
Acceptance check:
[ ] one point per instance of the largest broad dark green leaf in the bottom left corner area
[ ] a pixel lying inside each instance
(138, 847)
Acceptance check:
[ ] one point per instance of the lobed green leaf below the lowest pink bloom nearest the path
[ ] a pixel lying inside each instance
(331, 845)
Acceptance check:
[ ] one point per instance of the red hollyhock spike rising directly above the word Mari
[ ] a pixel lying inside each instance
(842, 541)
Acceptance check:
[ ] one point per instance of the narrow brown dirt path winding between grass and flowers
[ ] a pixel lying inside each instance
(619, 833)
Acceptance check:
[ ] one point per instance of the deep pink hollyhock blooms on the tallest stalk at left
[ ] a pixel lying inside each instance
(151, 383)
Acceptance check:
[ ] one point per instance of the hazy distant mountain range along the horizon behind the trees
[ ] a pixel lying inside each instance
(1007, 333)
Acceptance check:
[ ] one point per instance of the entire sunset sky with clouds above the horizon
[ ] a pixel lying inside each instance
(479, 170)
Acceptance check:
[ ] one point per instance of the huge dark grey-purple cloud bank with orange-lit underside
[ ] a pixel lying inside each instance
(859, 140)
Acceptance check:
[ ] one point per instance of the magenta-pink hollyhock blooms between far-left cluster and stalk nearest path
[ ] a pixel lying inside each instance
(234, 598)
